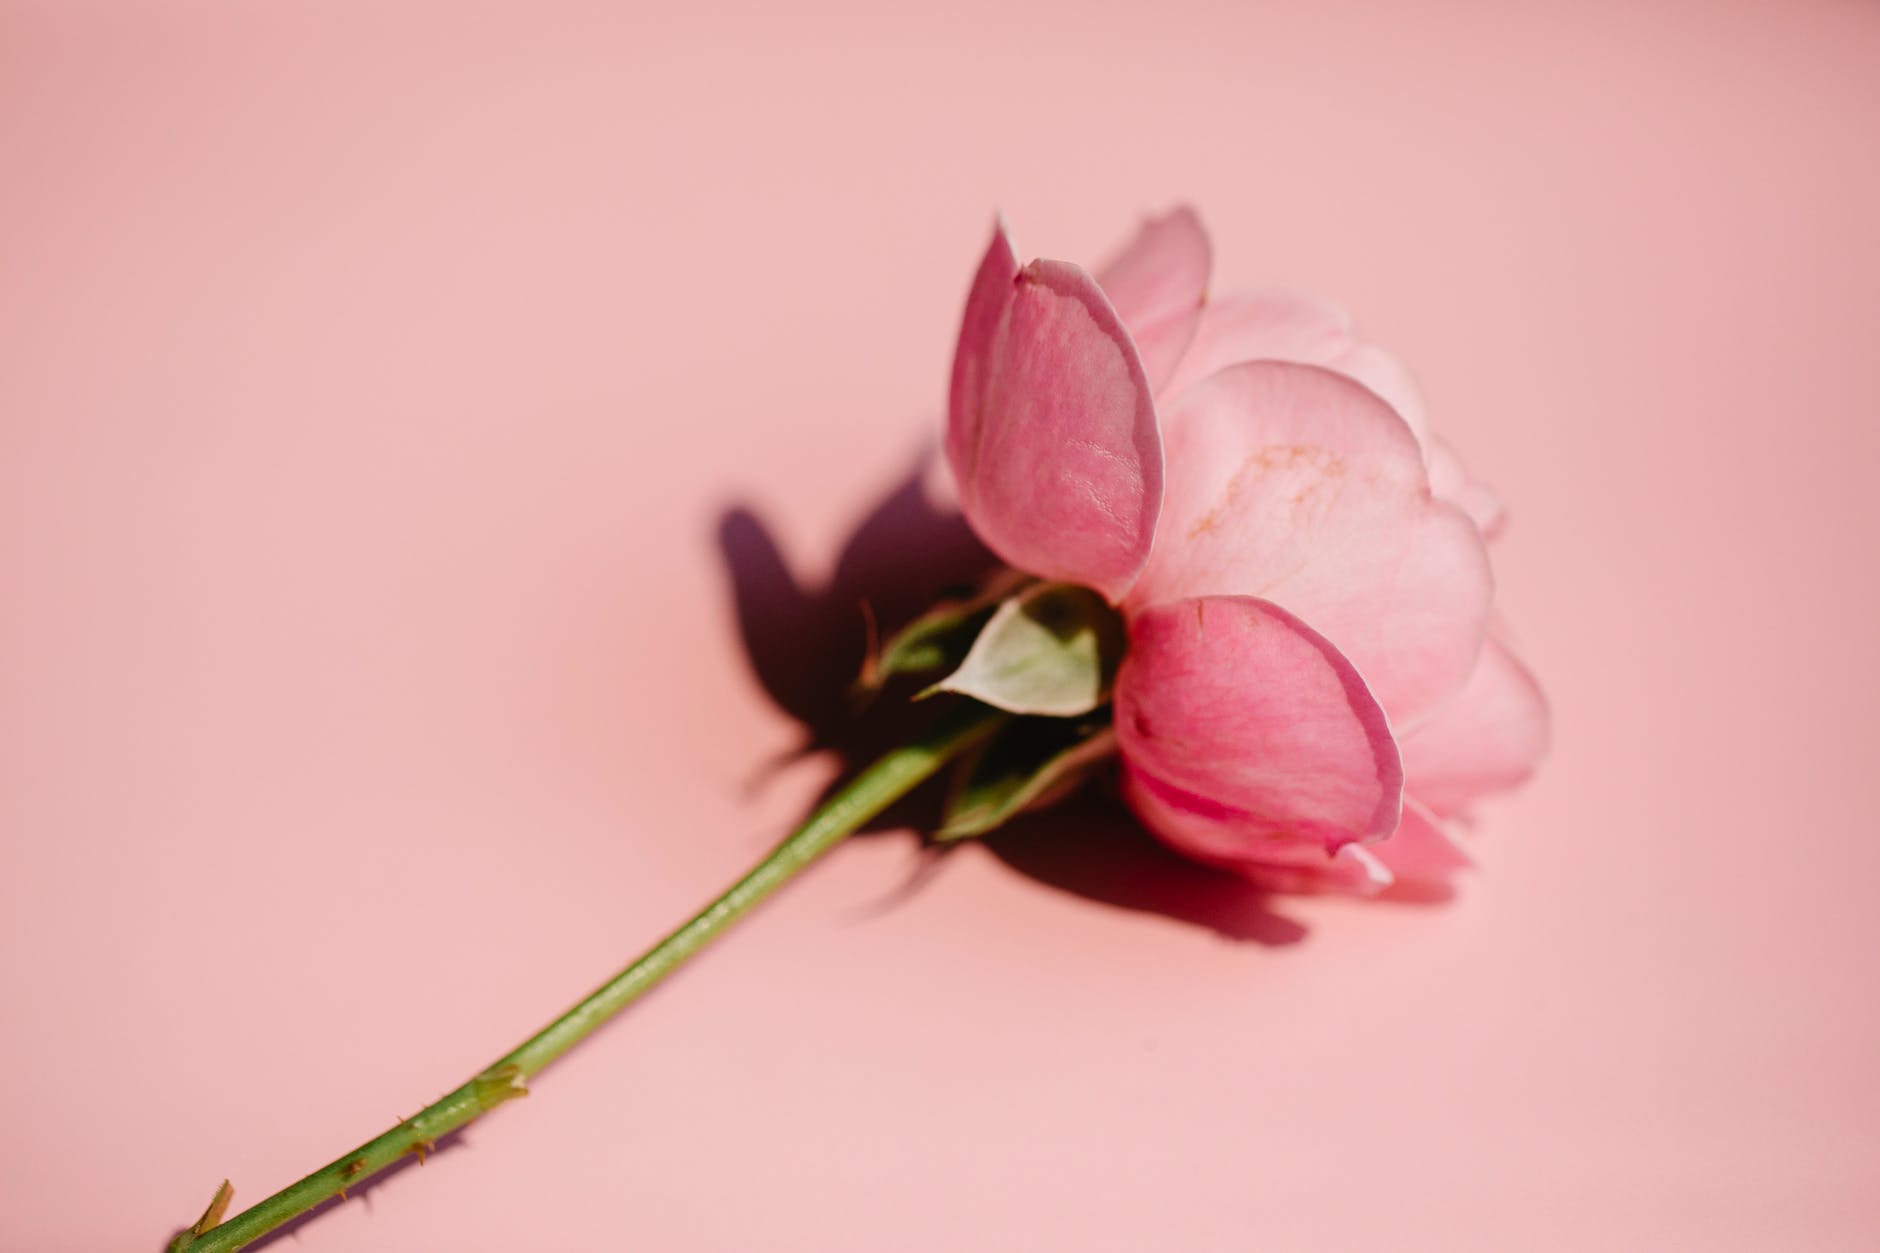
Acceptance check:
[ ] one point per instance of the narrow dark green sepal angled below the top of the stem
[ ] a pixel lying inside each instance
(1029, 765)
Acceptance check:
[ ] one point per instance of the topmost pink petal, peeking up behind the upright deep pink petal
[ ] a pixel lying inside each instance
(1157, 285)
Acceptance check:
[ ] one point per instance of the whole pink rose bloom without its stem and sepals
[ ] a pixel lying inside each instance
(1313, 688)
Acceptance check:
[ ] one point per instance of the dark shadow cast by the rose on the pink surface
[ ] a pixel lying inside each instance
(807, 644)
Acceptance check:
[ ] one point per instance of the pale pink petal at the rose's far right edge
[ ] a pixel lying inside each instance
(1488, 740)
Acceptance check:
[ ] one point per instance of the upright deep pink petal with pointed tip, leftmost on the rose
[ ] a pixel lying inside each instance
(1054, 434)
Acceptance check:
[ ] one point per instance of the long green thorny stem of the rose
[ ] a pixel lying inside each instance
(892, 778)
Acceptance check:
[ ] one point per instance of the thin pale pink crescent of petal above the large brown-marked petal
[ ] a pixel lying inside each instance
(1279, 326)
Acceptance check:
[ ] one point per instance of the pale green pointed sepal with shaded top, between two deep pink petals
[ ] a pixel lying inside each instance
(1052, 650)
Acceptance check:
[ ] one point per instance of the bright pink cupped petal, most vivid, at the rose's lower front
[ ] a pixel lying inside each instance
(1249, 738)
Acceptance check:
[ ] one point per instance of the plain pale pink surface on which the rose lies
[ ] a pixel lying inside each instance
(373, 383)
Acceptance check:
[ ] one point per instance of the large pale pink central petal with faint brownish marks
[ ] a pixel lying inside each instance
(1300, 486)
